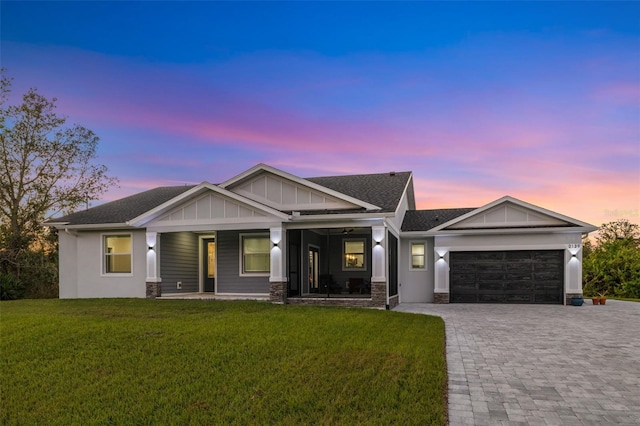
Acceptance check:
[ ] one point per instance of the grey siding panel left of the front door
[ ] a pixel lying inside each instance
(179, 262)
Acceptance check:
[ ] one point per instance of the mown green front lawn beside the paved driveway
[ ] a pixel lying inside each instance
(217, 362)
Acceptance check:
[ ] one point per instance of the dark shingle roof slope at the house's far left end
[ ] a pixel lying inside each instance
(124, 209)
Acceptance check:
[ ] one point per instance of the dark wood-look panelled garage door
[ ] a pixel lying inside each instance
(507, 276)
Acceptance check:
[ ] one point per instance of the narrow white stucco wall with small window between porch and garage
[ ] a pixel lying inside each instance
(416, 286)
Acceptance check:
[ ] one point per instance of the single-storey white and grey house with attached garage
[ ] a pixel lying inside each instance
(345, 240)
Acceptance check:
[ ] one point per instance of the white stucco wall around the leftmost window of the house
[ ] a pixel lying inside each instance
(81, 267)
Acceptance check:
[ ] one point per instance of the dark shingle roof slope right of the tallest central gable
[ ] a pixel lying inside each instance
(382, 189)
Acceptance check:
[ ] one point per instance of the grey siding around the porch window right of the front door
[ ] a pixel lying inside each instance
(229, 279)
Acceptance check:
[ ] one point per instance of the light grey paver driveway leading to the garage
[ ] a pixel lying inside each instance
(541, 364)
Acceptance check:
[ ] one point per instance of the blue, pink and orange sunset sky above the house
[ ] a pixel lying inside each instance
(536, 100)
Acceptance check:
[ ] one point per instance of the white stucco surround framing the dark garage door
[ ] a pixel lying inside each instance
(570, 242)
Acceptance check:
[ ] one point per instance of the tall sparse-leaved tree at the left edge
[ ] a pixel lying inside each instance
(46, 168)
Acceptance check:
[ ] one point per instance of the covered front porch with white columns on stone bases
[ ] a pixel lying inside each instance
(341, 265)
